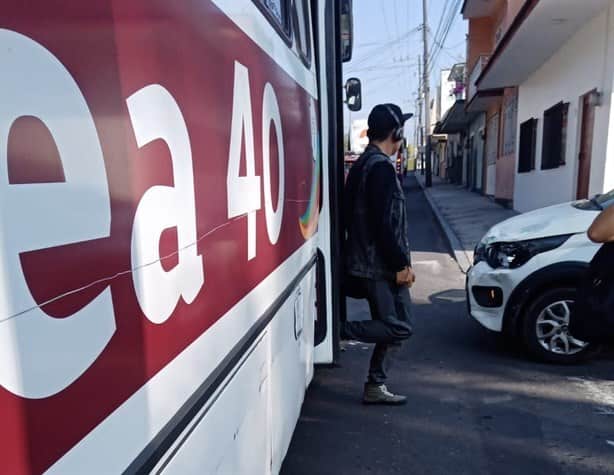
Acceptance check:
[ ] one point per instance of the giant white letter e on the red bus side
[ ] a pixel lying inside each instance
(41, 355)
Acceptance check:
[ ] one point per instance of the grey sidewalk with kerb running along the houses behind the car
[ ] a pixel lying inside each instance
(464, 216)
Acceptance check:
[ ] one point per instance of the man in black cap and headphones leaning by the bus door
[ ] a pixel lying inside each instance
(377, 254)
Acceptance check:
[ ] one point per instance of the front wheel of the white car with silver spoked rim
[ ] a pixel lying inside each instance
(546, 329)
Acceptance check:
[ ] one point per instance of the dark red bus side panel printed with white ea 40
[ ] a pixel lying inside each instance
(157, 168)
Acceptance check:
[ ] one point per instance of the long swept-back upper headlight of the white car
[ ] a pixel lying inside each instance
(511, 255)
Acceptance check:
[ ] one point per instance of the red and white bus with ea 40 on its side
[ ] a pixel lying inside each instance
(170, 230)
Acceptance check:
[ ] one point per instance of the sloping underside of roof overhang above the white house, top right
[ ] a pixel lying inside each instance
(538, 31)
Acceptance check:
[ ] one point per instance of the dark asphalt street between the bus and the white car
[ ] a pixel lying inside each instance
(476, 405)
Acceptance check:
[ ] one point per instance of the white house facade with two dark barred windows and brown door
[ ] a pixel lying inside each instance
(564, 113)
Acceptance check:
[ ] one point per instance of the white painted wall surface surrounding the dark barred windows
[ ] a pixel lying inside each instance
(585, 62)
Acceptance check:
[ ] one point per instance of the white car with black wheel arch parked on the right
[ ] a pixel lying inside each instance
(525, 274)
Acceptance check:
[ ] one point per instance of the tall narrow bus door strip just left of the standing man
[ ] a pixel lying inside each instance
(333, 26)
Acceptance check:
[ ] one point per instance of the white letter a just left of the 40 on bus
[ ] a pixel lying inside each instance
(156, 115)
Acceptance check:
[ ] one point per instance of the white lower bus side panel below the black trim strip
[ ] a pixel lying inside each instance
(262, 399)
